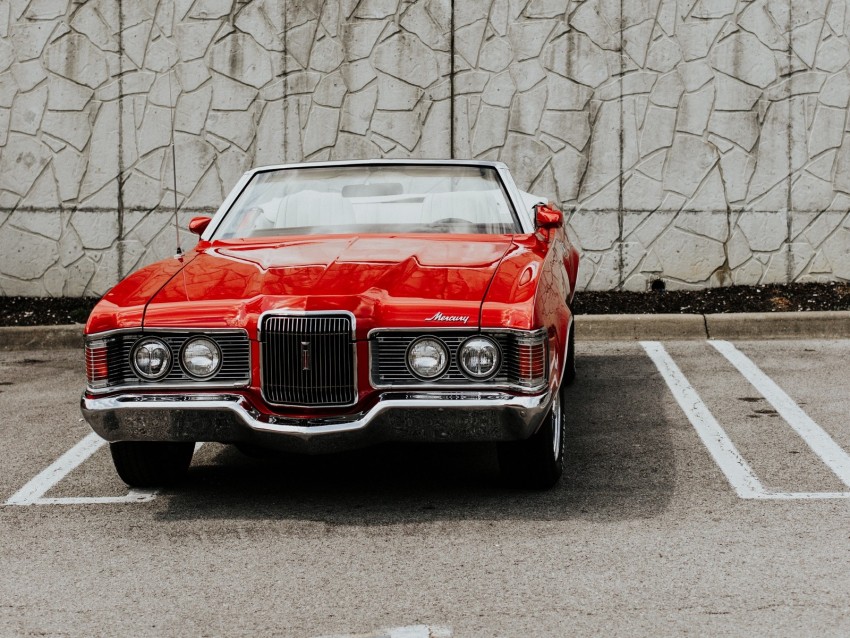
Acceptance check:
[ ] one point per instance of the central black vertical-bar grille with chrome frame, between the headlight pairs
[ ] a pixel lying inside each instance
(308, 360)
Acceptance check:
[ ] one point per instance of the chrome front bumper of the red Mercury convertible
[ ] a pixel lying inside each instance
(230, 418)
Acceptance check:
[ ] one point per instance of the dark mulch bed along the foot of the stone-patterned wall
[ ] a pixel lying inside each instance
(33, 311)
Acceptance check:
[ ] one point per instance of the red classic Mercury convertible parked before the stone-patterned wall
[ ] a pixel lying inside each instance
(334, 305)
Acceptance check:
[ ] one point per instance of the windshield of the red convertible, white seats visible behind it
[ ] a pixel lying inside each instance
(370, 199)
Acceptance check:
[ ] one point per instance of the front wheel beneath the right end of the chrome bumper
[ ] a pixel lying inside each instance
(538, 462)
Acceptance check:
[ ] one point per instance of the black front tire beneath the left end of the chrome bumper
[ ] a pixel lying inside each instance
(151, 463)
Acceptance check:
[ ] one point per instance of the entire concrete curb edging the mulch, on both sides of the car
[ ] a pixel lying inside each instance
(661, 327)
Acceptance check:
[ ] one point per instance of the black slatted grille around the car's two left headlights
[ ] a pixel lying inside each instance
(235, 358)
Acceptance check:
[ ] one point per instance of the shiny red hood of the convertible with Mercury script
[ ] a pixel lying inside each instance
(382, 280)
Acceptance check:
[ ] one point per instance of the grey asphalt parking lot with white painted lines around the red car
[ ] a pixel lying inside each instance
(707, 492)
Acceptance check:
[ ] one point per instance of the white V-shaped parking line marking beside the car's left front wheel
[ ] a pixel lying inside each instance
(33, 492)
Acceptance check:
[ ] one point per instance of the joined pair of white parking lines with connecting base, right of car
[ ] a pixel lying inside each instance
(738, 472)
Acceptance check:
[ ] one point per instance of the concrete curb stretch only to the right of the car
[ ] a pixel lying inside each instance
(743, 325)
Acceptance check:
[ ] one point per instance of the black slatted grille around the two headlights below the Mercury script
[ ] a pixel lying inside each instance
(389, 359)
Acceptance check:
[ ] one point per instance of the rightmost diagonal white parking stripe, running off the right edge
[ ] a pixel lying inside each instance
(814, 435)
